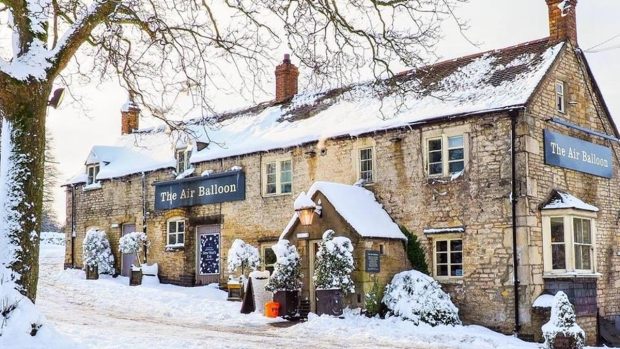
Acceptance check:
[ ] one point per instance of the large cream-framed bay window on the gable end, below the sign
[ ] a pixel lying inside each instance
(568, 243)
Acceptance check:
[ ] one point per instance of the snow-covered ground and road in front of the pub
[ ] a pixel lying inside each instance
(107, 313)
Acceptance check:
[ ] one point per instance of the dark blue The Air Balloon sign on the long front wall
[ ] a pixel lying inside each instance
(222, 187)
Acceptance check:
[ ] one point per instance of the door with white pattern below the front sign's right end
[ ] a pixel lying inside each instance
(208, 261)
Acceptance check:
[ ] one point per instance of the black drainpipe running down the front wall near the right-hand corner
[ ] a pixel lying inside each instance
(513, 198)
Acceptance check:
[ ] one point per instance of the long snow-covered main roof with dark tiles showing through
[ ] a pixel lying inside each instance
(464, 87)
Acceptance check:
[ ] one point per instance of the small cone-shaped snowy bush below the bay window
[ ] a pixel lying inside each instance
(562, 322)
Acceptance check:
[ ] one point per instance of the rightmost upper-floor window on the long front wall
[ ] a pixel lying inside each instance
(446, 155)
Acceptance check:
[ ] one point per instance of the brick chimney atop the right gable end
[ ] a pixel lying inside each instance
(563, 21)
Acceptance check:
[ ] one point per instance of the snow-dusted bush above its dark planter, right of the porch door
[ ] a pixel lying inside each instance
(334, 264)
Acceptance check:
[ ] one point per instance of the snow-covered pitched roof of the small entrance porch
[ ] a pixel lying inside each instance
(358, 207)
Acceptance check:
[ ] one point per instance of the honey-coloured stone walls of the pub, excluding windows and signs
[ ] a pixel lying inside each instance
(479, 200)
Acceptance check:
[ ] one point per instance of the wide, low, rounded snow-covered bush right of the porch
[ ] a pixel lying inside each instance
(418, 298)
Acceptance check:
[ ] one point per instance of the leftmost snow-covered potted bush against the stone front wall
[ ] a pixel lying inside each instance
(97, 252)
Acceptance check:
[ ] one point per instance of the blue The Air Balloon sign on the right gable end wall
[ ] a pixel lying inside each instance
(577, 154)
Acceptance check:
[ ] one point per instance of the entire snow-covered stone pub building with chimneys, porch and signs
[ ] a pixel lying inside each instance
(505, 167)
